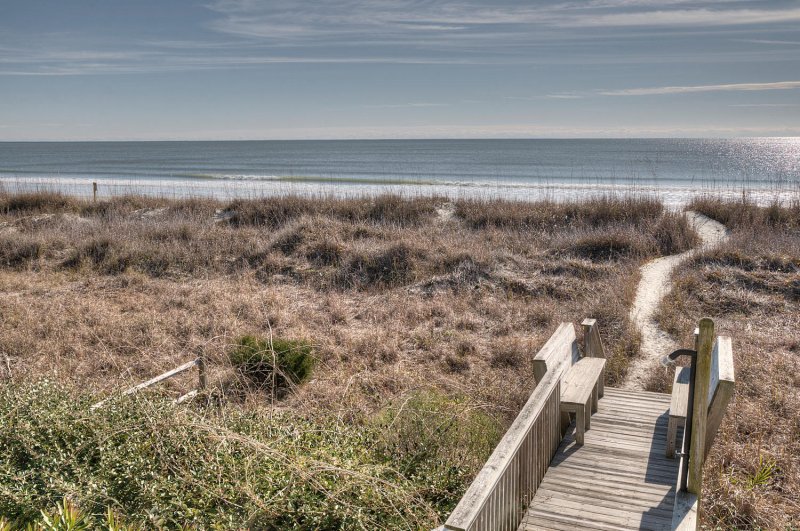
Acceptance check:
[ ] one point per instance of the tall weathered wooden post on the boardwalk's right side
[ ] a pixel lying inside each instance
(702, 381)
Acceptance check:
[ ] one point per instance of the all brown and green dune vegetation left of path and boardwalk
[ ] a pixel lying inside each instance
(416, 318)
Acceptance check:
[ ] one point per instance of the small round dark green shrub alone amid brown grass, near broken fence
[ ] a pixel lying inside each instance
(282, 361)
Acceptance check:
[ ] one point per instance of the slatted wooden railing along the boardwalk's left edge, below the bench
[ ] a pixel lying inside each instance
(501, 492)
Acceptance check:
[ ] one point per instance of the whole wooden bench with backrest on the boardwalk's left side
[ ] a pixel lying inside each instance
(582, 378)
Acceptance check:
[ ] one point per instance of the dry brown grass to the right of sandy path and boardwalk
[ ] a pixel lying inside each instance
(751, 287)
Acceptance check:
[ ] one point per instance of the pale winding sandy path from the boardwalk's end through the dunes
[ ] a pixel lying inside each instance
(653, 286)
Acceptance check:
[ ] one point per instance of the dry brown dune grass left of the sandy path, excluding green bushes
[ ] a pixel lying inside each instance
(393, 296)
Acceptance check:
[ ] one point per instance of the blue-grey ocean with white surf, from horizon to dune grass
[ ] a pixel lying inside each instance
(675, 170)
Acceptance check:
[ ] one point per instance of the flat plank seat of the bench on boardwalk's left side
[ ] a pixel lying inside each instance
(581, 389)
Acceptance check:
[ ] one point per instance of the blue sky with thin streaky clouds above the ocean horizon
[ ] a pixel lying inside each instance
(252, 69)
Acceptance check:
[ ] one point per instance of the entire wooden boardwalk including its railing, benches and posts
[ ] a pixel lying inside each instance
(620, 478)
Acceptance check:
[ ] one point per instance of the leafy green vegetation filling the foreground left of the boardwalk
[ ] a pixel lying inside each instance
(165, 466)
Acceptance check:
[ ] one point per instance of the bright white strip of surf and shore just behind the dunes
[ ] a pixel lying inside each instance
(673, 197)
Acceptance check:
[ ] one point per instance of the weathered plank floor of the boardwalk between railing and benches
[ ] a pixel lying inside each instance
(619, 479)
